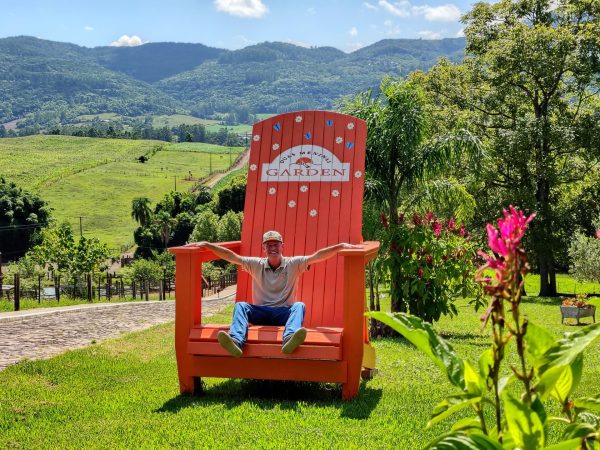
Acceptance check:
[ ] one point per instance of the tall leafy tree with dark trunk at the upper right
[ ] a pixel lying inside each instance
(529, 86)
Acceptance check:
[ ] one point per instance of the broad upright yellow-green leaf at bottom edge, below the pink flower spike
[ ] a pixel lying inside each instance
(524, 424)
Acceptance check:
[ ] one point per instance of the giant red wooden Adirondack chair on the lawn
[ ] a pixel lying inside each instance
(305, 180)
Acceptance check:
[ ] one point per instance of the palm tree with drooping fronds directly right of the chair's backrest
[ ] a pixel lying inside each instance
(403, 149)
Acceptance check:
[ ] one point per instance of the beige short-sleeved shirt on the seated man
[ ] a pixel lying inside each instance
(274, 287)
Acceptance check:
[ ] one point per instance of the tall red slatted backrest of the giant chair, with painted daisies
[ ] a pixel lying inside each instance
(306, 180)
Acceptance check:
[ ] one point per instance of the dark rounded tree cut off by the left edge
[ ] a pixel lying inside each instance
(22, 215)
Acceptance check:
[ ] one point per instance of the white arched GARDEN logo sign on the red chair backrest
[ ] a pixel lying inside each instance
(305, 163)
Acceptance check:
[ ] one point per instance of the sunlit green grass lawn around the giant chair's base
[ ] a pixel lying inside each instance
(123, 393)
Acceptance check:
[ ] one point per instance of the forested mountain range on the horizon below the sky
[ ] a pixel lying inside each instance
(49, 81)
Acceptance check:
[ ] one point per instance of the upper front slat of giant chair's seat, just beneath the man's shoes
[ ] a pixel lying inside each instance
(268, 351)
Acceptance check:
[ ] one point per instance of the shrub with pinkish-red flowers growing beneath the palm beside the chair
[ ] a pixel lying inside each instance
(431, 262)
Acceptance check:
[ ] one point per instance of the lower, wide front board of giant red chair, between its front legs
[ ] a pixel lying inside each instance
(269, 369)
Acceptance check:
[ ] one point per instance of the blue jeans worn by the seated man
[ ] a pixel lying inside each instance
(245, 313)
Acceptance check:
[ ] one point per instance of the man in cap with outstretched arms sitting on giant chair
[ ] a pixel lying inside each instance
(274, 281)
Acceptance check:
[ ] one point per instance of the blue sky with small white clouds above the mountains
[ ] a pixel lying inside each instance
(232, 24)
